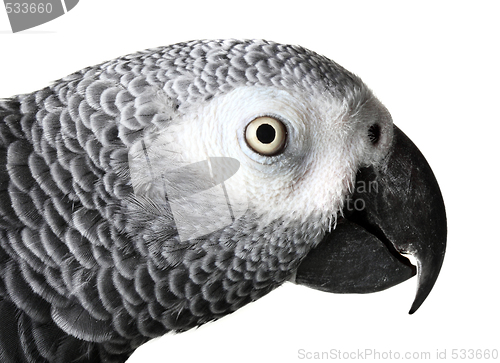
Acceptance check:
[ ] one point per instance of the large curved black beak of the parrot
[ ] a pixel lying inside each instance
(396, 210)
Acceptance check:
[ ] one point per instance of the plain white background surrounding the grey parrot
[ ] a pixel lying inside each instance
(435, 65)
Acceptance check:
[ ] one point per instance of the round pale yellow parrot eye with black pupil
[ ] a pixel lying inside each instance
(266, 136)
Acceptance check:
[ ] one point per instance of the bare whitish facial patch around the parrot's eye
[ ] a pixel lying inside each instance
(311, 176)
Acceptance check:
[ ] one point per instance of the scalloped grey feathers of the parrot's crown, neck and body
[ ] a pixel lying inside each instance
(88, 272)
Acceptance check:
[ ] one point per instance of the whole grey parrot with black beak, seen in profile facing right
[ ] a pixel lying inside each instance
(165, 189)
